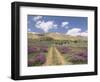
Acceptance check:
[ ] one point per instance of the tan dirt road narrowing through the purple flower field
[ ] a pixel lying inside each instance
(55, 58)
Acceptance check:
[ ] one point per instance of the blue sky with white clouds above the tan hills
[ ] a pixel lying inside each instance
(60, 24)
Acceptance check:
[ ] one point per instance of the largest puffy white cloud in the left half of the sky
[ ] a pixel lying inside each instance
(45, 26)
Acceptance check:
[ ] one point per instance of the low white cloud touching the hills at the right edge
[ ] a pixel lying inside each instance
(76, 32)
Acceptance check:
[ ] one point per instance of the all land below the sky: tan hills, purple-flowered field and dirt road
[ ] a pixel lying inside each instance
(48, 50)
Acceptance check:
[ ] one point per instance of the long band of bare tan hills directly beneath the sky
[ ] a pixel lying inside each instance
(55, 36)
